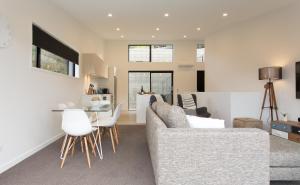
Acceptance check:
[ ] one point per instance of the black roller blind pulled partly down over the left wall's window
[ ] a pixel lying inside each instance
(45, 41)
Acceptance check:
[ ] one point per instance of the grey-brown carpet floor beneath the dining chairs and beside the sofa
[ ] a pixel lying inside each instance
(131, 165)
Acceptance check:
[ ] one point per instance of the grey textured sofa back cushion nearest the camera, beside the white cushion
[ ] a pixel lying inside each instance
(172, 116)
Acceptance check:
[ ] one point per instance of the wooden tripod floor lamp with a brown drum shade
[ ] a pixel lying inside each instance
(270, 74)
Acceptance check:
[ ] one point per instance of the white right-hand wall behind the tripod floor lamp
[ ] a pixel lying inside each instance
(234, 55)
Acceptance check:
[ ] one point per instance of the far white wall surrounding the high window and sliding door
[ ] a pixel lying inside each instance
(116, 54)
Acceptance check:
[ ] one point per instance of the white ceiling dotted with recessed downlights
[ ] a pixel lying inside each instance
(137, 19)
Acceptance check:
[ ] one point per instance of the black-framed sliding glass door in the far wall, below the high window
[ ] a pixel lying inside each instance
(158, 82)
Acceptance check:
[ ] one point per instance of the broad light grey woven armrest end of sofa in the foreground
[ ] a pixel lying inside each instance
(212, 156)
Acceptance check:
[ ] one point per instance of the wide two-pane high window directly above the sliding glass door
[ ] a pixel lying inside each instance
(150, 53)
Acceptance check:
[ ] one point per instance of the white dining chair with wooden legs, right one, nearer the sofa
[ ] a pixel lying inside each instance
(110, 123)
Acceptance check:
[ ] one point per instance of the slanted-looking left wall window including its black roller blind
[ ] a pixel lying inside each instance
(52, 55)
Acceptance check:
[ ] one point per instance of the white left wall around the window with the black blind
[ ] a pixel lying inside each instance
(28, 94)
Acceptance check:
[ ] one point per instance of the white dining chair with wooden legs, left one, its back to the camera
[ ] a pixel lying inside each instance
(75, 123)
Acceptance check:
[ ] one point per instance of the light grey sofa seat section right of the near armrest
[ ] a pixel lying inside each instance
(284, 153)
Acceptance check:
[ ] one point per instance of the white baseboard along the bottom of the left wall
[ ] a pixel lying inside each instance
(29, 153)
